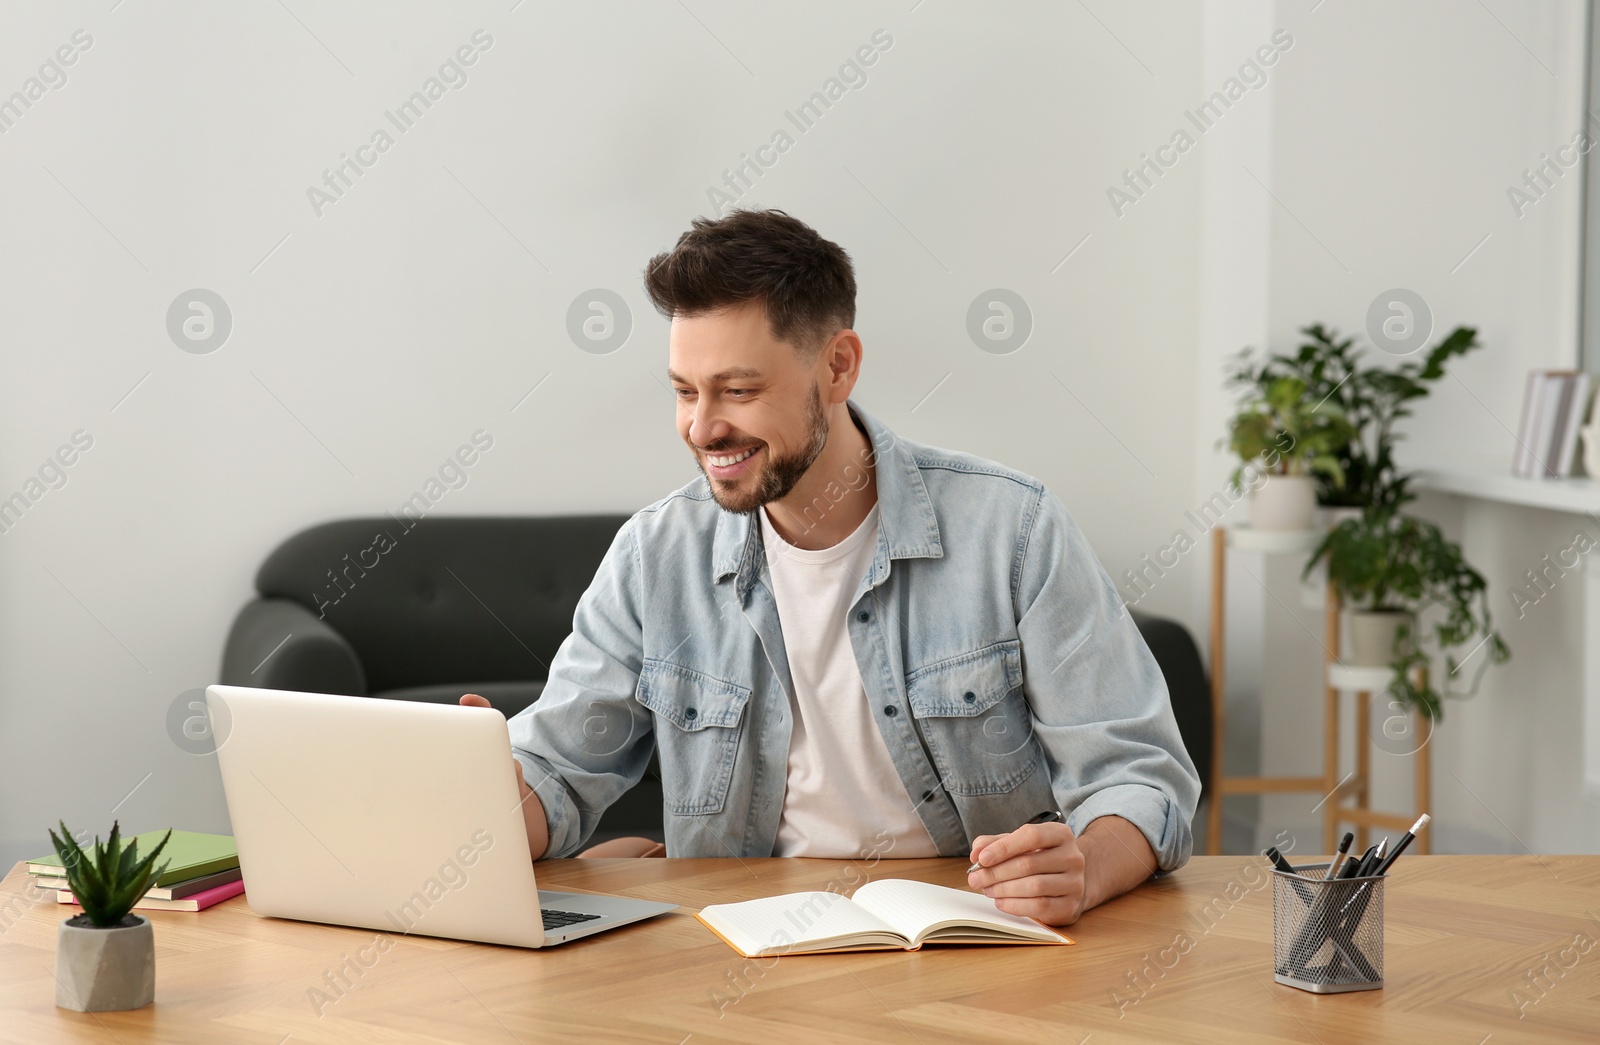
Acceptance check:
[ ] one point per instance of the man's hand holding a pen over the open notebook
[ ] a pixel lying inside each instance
(1042, 871)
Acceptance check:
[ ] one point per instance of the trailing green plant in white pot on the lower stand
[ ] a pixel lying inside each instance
(1393, 567)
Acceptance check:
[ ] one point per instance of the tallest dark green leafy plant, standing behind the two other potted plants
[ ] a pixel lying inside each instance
(1372, 399)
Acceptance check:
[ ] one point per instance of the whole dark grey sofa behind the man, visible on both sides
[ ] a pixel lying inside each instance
(428, 611)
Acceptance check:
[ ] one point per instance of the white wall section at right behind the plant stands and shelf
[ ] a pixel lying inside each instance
(1396, 137)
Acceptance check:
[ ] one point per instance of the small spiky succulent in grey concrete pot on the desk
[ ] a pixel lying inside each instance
(106, 956)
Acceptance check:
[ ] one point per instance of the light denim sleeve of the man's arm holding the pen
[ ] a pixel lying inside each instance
(1098, 697)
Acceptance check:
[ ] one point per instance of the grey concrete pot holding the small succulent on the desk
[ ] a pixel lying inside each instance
(102, 971)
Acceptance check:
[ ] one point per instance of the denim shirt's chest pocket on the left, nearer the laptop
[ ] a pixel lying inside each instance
(698, 726)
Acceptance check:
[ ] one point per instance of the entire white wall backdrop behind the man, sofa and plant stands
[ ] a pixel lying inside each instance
(430, 300)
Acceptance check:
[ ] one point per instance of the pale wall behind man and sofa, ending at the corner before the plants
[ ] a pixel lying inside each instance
(433, 297)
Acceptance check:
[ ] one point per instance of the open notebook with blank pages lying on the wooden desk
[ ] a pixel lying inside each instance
(882, 916)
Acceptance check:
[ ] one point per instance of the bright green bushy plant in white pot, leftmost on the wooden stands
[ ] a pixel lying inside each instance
(1292, 438)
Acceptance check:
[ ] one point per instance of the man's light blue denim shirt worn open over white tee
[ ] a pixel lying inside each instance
(1004, 671)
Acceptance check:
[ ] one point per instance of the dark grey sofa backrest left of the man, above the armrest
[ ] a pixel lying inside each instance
(441, 601)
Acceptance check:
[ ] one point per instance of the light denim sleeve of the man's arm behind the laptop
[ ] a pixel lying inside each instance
(588, 740)
